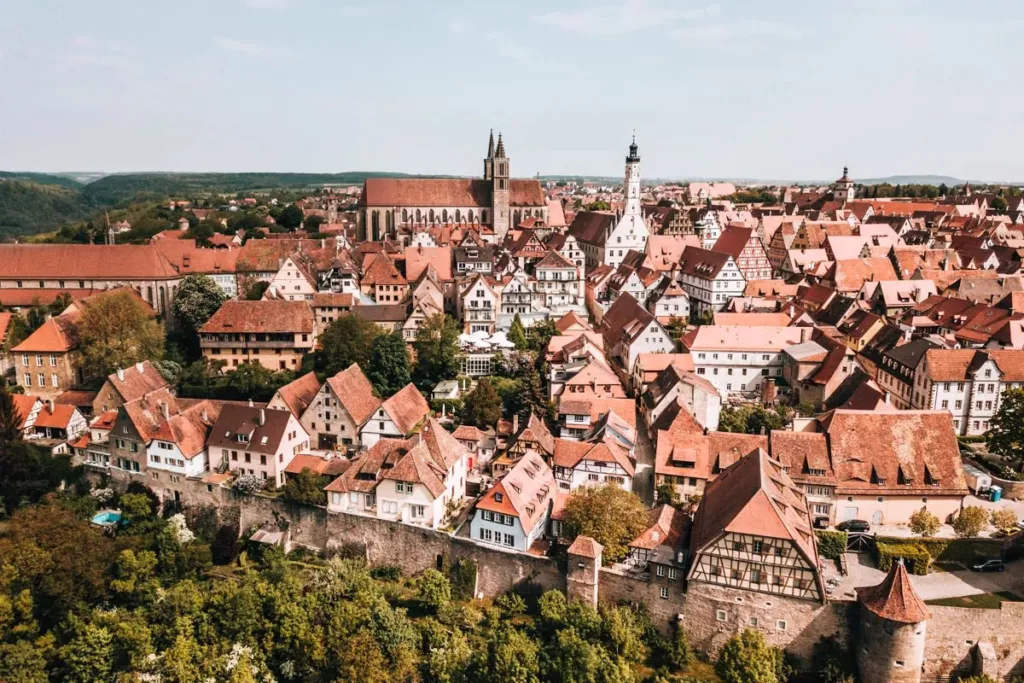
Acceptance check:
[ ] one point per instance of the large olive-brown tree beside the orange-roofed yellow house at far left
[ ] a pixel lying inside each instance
(117, 331)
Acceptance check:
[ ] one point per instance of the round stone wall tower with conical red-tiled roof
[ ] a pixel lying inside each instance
(893, 626)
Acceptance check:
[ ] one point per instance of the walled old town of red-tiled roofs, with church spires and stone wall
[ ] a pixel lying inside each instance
(790, 410)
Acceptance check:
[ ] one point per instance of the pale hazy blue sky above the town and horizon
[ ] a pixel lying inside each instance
(751, 89)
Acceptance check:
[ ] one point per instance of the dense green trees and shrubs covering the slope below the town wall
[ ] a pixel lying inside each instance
(80, 606)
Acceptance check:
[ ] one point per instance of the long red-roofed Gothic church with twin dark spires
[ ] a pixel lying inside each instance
(492, 205)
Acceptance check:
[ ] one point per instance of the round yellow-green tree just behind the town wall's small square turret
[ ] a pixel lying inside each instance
(610, 515)
